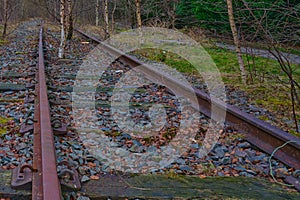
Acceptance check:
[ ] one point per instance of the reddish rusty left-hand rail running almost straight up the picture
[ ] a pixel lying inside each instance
(45, 182)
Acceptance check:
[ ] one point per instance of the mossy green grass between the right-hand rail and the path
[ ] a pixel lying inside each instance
(264, 91)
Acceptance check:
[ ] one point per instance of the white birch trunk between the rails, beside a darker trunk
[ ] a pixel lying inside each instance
(62, 30)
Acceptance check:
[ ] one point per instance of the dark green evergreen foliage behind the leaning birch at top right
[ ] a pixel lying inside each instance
(278, 20)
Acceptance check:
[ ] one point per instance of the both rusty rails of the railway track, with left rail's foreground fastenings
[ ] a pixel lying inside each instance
(43, 176)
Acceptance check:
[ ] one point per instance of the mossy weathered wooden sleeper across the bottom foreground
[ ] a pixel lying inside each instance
(167, 187)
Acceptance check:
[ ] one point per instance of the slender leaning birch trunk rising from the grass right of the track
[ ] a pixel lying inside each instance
(236, 41)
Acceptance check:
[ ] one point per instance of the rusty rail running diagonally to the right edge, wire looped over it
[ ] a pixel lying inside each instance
(261, 134)
